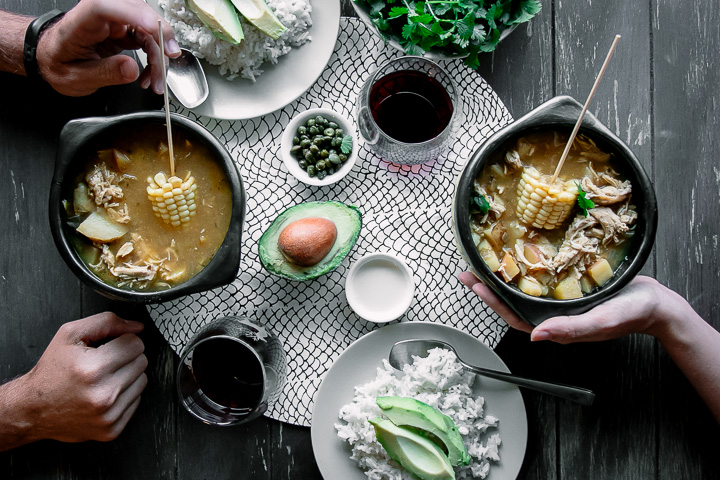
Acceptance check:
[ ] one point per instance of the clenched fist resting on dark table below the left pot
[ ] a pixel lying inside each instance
(79, 392)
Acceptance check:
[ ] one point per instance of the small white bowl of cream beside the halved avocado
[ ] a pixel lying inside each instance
(380, 287)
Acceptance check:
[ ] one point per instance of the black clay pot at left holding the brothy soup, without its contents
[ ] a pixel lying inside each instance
(78, 140)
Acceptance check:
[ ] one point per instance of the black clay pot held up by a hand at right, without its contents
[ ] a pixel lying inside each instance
(560, 113)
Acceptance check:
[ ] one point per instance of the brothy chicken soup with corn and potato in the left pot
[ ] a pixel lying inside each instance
(134, 244)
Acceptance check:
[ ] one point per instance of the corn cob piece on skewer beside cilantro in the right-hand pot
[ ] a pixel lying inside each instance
(543, 205)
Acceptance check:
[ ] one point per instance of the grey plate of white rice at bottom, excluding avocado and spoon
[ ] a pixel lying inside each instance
(490, 414)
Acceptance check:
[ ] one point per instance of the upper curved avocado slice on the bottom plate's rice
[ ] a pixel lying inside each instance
(414, 413)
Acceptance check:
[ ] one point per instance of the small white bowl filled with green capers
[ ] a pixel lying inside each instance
(318, 146)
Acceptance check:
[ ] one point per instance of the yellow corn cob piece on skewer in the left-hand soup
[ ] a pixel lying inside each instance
(173, 199)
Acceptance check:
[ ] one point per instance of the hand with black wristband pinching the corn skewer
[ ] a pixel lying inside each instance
(79, 54)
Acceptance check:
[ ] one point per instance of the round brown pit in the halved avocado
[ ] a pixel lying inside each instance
(305, 242)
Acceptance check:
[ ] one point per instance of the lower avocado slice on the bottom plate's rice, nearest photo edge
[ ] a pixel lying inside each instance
(415, 453)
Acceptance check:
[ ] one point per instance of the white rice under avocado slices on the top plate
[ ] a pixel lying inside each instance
(246, 58)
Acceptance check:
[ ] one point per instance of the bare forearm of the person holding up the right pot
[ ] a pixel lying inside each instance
(694, 346)
